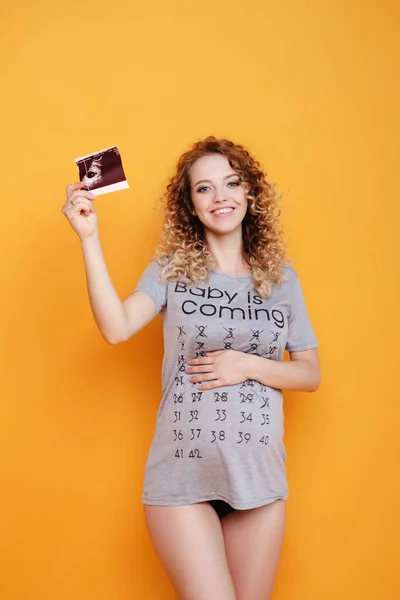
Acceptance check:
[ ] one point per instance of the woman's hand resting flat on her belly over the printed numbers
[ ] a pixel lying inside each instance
(221, 367)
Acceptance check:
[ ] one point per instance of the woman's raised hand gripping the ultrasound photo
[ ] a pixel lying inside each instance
(79, 210)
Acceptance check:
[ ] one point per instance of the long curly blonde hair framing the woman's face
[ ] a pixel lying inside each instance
(183, 251)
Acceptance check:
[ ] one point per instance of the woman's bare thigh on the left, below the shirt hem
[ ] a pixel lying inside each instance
(189, 542)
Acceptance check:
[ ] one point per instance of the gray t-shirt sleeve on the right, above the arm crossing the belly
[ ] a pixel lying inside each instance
(301, 335)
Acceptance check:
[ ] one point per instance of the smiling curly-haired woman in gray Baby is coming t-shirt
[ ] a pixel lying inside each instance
(215, 485)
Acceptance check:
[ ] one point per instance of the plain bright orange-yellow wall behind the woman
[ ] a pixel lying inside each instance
(312, 88)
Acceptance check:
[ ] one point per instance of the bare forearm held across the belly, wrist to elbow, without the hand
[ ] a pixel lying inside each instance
(299, 375)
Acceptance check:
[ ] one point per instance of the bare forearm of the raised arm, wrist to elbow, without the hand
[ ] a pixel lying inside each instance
(106, 305)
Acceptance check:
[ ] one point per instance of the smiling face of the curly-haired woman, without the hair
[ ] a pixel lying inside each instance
(218, 195)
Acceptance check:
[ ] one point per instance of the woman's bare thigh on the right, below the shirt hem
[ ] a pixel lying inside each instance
(253, 542)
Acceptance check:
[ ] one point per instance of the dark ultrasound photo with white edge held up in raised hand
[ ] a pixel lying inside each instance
(102, 172)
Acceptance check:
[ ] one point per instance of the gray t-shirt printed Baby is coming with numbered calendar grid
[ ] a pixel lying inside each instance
(225, 443)
